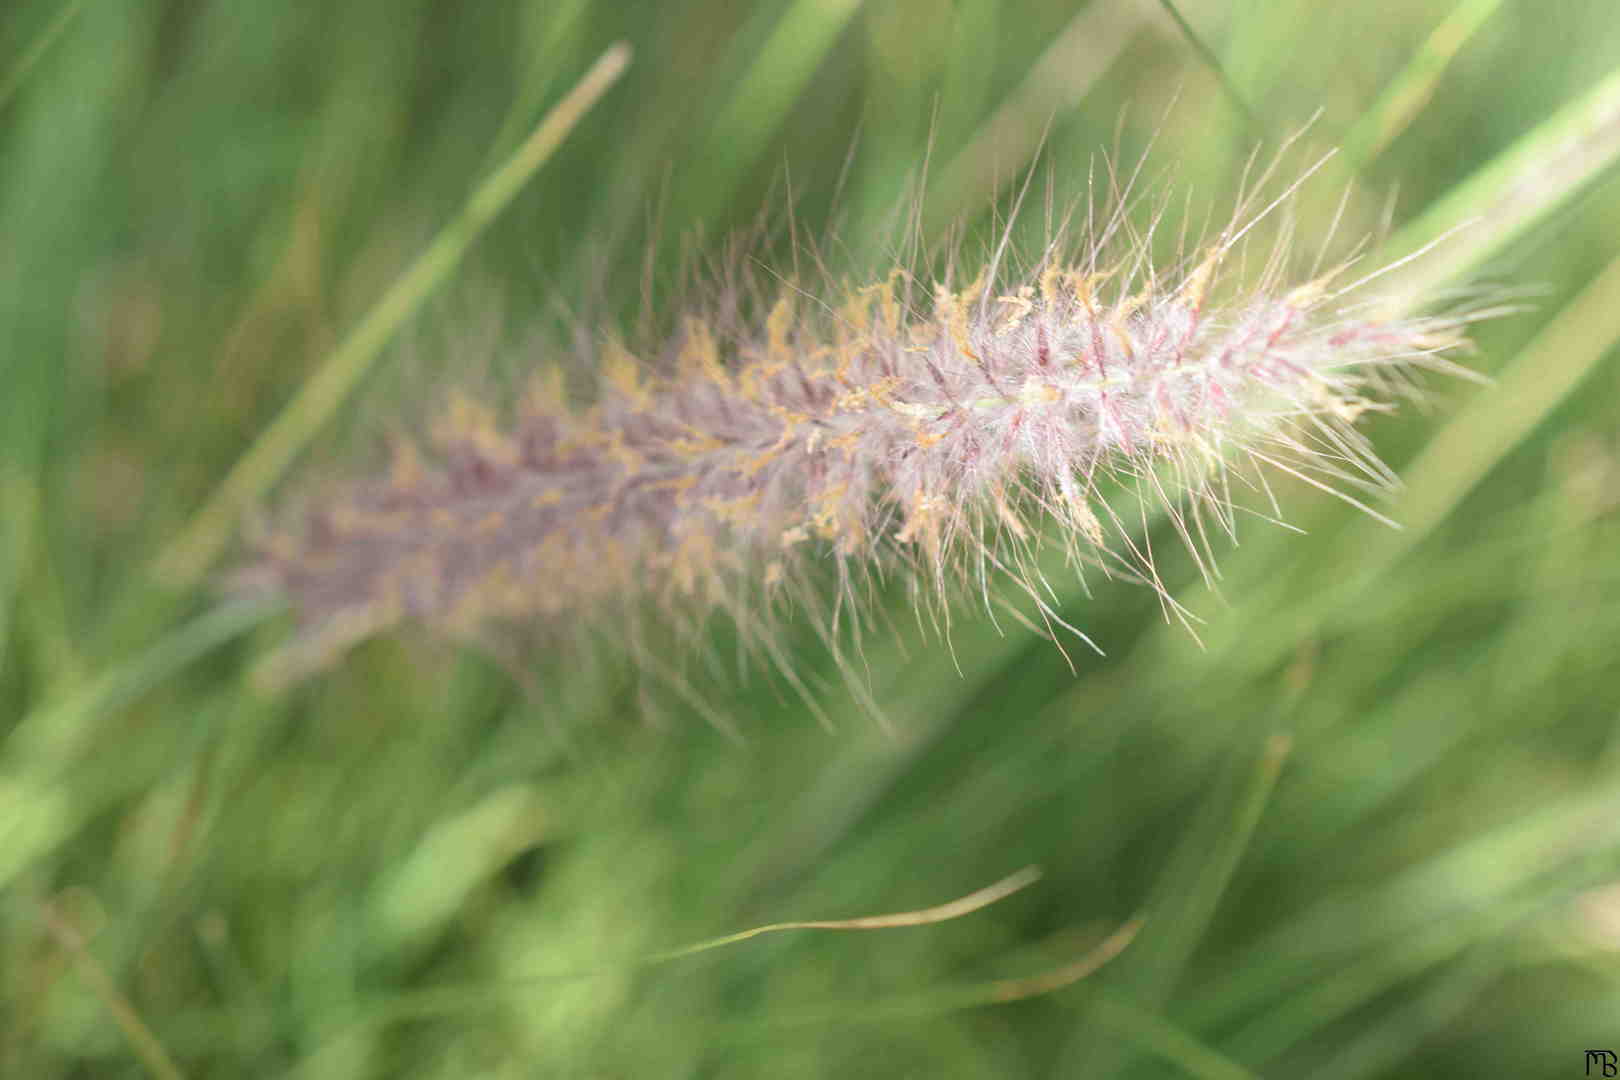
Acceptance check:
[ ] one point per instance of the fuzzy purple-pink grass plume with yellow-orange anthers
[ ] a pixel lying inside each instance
(929, 428)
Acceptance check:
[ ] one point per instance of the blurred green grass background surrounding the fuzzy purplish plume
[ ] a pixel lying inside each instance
(1373, 825)
